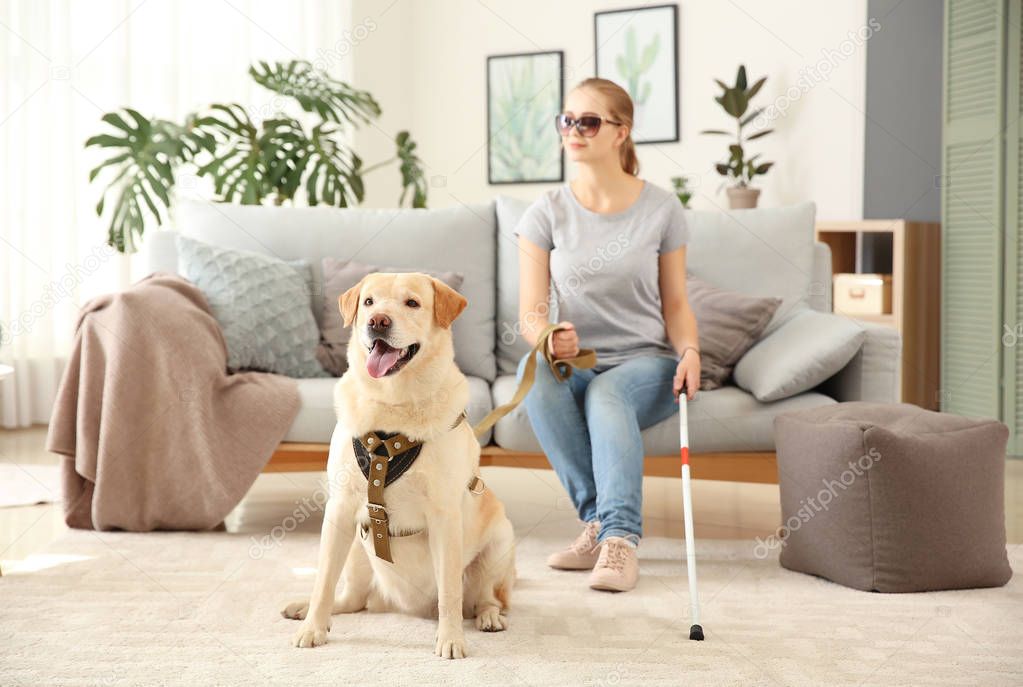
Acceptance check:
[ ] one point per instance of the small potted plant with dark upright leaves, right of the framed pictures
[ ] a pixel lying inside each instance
(736, 103)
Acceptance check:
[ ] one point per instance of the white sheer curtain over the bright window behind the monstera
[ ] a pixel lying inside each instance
(63, 65)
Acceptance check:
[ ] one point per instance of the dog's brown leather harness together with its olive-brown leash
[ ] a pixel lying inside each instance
(385, 456)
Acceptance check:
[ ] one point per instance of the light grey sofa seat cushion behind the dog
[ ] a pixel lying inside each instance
(317, 418)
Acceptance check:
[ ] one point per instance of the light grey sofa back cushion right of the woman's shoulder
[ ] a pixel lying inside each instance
(761, 252)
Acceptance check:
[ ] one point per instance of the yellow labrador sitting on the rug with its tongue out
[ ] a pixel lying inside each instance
(403, 379)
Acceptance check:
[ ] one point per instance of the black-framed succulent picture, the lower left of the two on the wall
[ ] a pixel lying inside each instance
(524, 94)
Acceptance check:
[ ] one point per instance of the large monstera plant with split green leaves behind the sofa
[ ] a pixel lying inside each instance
(249, 162)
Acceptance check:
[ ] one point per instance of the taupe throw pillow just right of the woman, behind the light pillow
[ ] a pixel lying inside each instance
(729, 325)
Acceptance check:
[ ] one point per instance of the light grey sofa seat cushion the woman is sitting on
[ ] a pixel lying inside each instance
(724, 420)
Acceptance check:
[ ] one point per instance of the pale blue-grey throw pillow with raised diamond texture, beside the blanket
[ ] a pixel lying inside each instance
(261, 304)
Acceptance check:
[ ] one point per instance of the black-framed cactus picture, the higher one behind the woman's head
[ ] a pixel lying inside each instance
(639, 51)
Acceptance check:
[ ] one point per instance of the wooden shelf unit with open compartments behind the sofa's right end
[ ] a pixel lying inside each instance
(916, 295)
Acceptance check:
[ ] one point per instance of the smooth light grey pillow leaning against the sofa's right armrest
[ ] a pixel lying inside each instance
(806, 351)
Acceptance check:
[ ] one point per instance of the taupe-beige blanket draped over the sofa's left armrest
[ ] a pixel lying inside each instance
(157, 436)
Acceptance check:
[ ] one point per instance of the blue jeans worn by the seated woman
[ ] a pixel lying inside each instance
(590, 427)
